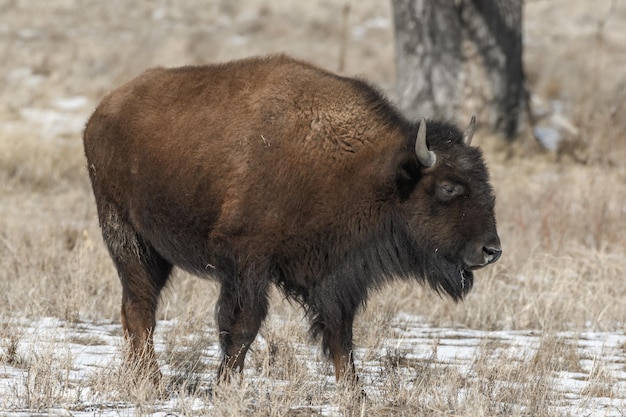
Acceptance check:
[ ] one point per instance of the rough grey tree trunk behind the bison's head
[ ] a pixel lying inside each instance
(459, 57)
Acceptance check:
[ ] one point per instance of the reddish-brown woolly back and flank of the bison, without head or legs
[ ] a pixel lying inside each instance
(238, 158)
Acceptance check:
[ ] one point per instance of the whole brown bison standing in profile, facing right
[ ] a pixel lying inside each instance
(270, 170)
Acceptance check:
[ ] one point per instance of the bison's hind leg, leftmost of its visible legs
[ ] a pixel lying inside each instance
(143, 273)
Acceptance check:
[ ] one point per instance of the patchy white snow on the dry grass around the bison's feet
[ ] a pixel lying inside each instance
(75, 352)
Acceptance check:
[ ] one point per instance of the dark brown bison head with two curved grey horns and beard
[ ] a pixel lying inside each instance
(448, 207)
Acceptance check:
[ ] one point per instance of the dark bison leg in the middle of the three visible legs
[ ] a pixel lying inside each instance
(240, 311)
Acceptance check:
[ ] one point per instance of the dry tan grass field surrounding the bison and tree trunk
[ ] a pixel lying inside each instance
(561, 217)
